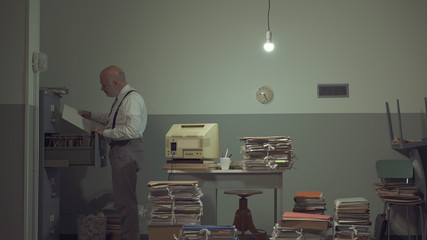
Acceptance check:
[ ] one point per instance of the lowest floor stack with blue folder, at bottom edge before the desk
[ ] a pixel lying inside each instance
(208, 232)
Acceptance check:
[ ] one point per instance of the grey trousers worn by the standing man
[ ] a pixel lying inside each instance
(125, 160)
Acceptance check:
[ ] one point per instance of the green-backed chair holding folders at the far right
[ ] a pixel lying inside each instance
(399, 171)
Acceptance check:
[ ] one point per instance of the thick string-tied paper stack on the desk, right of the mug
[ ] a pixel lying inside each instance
(271, 152)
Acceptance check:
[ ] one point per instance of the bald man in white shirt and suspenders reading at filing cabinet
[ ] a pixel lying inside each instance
(124, 127)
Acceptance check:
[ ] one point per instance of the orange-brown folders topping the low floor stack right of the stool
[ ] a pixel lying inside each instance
(305, 221)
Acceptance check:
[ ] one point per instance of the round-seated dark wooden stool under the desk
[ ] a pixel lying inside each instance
(243, 217)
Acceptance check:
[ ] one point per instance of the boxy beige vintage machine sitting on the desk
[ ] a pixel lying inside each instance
(192, 141)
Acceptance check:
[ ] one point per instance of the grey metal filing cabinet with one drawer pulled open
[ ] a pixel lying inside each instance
(59, 150)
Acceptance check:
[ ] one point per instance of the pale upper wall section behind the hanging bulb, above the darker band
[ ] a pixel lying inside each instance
(206, 57)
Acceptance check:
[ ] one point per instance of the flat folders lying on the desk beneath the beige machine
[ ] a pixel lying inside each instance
(188, 165)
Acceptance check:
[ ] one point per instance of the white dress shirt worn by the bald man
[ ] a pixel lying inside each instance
(131, 118)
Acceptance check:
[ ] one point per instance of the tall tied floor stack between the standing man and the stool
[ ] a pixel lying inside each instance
(175, 202)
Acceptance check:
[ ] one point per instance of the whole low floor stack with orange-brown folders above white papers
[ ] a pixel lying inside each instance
(295, 225)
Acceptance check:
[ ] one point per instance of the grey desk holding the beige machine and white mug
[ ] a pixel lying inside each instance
(211, 181)
